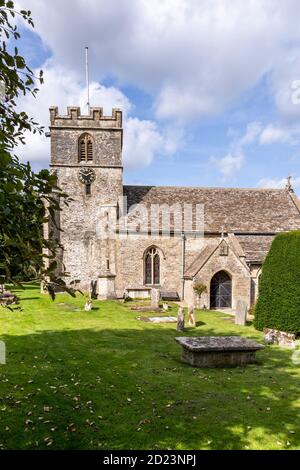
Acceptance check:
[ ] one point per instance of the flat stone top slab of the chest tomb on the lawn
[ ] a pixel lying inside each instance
(218, 343)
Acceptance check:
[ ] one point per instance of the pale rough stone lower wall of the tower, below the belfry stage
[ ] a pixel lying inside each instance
(86, 252)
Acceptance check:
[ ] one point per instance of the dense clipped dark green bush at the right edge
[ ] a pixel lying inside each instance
(278, 305)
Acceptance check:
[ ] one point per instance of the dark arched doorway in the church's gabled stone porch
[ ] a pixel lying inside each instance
(221, 290)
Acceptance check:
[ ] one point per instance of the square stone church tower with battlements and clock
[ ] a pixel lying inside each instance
(86, 157)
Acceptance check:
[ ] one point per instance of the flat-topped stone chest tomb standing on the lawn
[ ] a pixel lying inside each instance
(218, 351)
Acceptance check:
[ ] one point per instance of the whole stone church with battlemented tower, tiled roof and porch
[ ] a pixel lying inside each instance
(215, 236)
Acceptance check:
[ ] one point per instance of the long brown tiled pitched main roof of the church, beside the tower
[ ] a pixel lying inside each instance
(236, 210)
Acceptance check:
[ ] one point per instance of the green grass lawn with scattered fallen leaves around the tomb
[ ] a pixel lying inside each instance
(103, 380)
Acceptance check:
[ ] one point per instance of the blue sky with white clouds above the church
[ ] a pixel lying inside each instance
(206, 92)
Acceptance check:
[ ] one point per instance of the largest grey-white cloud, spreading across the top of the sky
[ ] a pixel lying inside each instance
(195, 58)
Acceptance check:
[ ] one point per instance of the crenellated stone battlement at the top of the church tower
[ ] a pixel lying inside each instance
(96, 119)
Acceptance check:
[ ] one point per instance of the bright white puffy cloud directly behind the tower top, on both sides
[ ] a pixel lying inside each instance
(142, 138)
